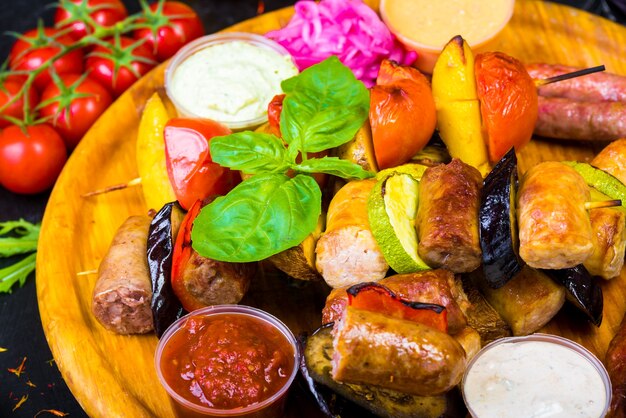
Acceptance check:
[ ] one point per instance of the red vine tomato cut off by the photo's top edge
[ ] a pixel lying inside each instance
(74, 13)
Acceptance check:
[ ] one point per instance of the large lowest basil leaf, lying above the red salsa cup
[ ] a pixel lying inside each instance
(262, 216)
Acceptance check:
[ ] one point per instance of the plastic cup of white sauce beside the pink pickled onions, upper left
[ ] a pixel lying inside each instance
(228, 77)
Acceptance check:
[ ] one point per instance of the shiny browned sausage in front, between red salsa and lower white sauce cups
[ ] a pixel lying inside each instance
(376, 349)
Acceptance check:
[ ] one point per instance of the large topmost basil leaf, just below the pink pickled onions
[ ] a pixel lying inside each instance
(327, 92)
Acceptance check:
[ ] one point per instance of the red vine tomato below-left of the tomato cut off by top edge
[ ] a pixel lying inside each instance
(36, 47)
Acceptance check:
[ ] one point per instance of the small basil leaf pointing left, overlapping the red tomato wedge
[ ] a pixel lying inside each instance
(249, 152)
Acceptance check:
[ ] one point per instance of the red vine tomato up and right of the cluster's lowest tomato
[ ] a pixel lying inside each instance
(70, 111)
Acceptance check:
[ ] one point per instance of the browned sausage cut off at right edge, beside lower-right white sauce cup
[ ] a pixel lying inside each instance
(616, 366)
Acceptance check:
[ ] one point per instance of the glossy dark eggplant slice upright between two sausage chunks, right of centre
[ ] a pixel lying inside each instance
(498, 231)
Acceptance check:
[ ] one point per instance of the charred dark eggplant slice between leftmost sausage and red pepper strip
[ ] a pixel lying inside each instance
(166, 308)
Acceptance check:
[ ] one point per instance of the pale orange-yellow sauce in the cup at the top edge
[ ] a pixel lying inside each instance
(433, 23)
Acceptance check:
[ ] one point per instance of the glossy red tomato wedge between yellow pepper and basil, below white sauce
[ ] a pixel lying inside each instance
(189, 166)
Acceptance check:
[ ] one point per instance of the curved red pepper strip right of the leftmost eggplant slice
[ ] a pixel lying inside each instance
(180, 257)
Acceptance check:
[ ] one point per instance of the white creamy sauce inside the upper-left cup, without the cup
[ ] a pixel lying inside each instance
(232, 81)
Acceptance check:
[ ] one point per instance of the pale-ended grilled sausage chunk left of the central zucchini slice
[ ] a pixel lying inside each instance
(347, 252)
